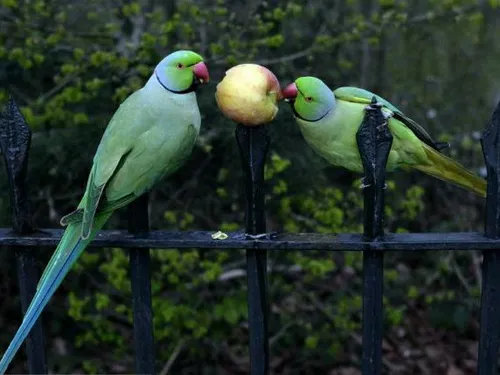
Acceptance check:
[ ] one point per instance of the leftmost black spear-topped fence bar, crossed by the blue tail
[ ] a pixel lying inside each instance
(15, 140)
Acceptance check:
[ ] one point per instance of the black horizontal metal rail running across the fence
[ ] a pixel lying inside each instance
(286, 241)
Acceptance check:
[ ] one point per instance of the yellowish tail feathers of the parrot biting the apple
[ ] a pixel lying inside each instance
(448, 170)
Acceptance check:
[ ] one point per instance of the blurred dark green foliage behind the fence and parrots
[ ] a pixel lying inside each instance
(69, 64)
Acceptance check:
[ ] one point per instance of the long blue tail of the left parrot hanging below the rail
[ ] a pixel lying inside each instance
(68, 251)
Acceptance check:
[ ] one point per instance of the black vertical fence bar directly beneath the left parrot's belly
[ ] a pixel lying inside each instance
(140, 276)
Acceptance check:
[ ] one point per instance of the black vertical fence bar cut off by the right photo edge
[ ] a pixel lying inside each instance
(487, 363)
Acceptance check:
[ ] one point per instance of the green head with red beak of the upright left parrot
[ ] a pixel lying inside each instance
(182, 71)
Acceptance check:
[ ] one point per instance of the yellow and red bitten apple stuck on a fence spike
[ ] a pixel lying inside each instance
(249, 94)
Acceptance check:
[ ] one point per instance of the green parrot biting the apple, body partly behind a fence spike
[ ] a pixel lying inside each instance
(329, 122)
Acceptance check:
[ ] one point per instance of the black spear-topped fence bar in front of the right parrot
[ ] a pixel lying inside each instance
(374, 142)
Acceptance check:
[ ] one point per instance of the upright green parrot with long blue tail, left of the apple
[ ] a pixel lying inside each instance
(150, 135)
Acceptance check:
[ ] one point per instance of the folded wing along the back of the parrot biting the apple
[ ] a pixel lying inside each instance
(362, 96)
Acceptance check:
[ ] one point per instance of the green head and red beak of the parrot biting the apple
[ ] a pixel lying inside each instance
(310, 98)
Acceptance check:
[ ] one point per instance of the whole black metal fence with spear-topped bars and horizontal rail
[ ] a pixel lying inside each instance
(374, 142)
